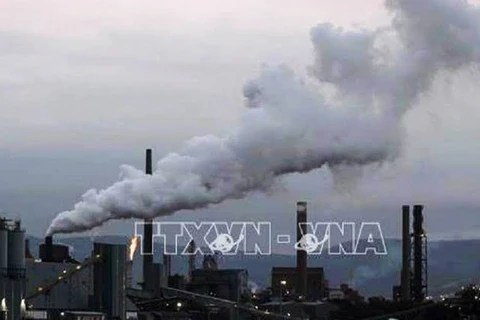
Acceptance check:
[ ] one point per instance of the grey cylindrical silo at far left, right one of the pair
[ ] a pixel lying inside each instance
(16, 253)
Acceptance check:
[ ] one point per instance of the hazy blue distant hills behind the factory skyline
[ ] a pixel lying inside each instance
(450, 265)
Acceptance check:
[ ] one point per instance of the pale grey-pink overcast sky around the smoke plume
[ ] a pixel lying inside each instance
(86, 86)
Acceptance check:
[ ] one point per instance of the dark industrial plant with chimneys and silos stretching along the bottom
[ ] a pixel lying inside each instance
(56, 286)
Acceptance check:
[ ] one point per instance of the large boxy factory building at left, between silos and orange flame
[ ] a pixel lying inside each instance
(58, 287)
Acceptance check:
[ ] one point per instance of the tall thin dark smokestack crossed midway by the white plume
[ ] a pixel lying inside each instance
(148, 236)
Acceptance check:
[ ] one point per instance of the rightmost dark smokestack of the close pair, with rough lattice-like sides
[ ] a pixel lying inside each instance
(419, 256)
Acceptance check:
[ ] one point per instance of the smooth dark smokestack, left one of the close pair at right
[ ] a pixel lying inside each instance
(406, 249)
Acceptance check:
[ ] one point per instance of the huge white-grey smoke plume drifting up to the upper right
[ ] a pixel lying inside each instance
(290, 127)
